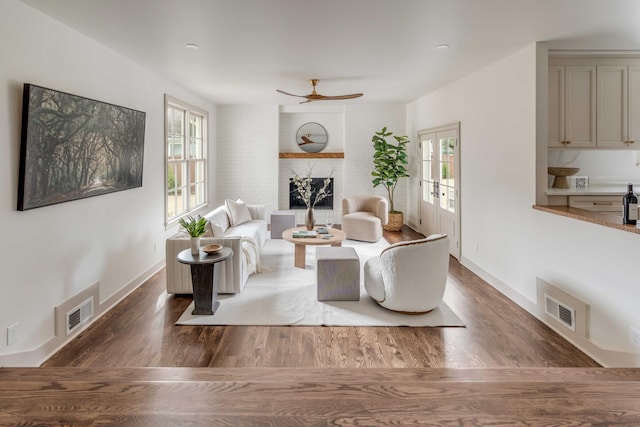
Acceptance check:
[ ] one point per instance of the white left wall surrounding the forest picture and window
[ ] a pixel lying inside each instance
(52, 253)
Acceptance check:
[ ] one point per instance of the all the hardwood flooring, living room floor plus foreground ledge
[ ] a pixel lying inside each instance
(134, 367)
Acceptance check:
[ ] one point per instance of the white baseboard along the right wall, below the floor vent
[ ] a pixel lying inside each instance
(607, 358)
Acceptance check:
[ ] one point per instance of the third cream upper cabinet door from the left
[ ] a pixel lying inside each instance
(612, 106)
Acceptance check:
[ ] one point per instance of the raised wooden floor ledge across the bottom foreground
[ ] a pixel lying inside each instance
(260, 396)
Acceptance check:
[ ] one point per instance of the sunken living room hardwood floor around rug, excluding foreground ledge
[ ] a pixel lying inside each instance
(140, 332)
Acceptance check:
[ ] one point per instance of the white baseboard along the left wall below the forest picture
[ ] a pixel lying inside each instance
(37, 356)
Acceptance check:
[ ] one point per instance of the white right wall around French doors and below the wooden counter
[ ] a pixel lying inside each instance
(497, 110)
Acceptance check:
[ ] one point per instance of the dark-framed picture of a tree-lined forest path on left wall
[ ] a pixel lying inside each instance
(74, 147)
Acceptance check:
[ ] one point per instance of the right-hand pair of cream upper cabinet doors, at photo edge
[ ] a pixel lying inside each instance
(618, 106)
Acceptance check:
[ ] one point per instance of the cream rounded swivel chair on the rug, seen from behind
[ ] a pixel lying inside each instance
(409, 277)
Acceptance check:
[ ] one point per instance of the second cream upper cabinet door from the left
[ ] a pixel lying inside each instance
(580, 106)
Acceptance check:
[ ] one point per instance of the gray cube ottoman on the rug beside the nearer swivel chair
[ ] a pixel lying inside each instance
(337, 274)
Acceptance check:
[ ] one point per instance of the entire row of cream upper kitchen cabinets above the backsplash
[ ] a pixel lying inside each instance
(594, 106)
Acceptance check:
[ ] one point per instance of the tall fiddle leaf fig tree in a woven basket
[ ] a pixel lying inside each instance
(389, 165)
